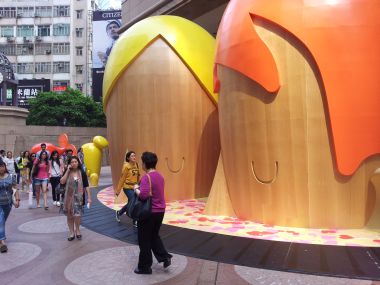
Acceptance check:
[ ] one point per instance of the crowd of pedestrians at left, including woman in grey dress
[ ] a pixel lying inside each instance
(33, 172)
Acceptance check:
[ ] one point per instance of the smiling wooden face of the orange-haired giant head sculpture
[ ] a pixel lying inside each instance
(258, 128)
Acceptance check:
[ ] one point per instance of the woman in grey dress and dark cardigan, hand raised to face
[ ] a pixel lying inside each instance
(76, 185)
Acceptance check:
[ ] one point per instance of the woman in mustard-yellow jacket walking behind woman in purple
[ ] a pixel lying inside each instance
(130, 176)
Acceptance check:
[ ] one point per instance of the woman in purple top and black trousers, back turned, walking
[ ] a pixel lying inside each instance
(148, 230)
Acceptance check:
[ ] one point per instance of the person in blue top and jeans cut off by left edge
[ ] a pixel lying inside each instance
(6, 192)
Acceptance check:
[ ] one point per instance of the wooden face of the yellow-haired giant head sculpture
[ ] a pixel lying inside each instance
(157, 105)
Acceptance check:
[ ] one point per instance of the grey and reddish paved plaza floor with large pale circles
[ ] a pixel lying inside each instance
(39, 253)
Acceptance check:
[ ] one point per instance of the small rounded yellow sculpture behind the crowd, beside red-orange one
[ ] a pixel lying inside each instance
(93, 158)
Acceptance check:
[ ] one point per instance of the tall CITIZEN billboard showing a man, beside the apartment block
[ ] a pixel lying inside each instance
(105, 27)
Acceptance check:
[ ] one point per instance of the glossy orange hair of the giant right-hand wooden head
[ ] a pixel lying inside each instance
(342, 37)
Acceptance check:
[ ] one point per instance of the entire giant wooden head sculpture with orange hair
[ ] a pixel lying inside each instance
(299, 111)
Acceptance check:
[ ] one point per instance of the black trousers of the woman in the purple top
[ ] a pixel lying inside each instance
(149, 240)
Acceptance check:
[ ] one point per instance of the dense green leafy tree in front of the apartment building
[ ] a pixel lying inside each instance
(69, 108)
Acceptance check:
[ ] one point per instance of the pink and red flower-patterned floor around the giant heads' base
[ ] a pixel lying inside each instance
(188, 214)
